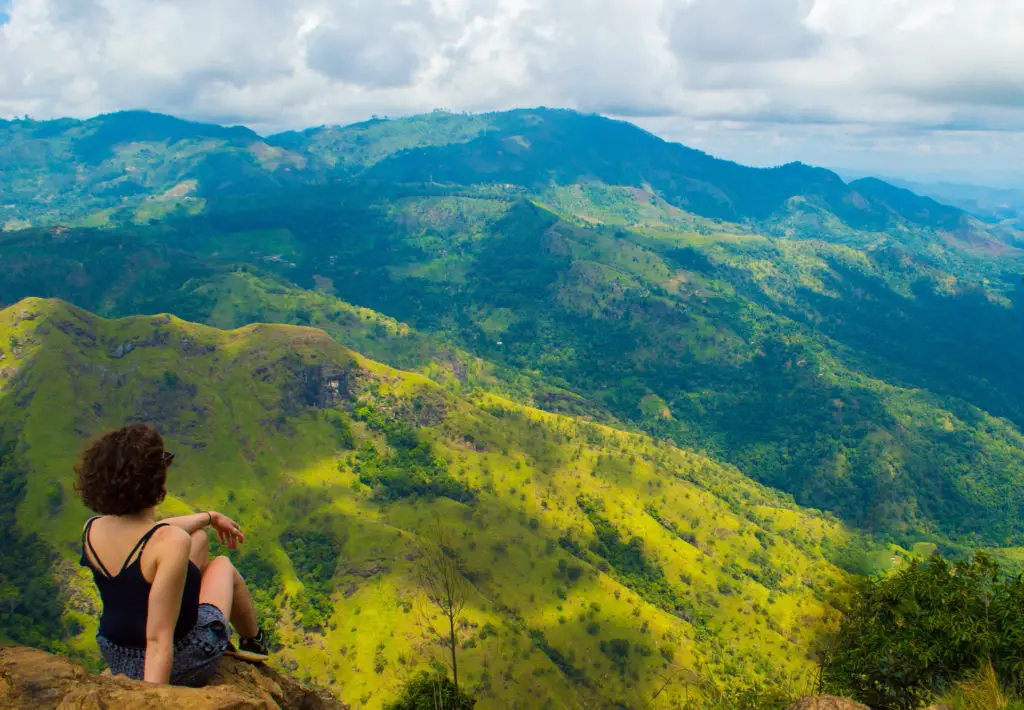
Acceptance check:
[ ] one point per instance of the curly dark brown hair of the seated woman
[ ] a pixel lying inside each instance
(123, 472)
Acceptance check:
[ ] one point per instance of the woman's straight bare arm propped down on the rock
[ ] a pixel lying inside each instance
(165, 605)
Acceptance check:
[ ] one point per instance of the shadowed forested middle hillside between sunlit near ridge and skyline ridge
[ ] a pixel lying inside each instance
(876, 385)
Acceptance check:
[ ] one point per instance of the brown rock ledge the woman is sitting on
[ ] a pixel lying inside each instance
(32, 680)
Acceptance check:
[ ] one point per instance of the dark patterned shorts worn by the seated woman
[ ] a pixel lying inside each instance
(196, 655)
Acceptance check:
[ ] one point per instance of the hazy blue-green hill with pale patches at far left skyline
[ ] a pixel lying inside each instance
(53, 171)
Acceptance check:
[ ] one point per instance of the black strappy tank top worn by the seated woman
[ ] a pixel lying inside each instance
(126, 596)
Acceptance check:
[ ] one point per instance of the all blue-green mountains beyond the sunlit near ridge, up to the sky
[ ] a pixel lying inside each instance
(854, 345)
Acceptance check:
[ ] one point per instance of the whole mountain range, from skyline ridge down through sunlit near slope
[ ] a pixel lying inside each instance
(540, 276)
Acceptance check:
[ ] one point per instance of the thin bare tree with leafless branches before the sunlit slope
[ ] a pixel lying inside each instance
(442, 579)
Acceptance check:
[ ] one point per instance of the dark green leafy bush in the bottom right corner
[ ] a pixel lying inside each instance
(914, 636)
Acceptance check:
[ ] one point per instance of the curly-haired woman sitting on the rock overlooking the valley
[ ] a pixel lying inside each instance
(166, 604)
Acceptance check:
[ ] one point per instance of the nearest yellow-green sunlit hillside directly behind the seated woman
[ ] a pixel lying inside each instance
(575, 537)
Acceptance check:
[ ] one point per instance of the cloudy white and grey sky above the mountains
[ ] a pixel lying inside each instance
(917, 89)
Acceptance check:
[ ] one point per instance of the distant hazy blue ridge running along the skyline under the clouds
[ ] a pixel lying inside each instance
(530, 148)
